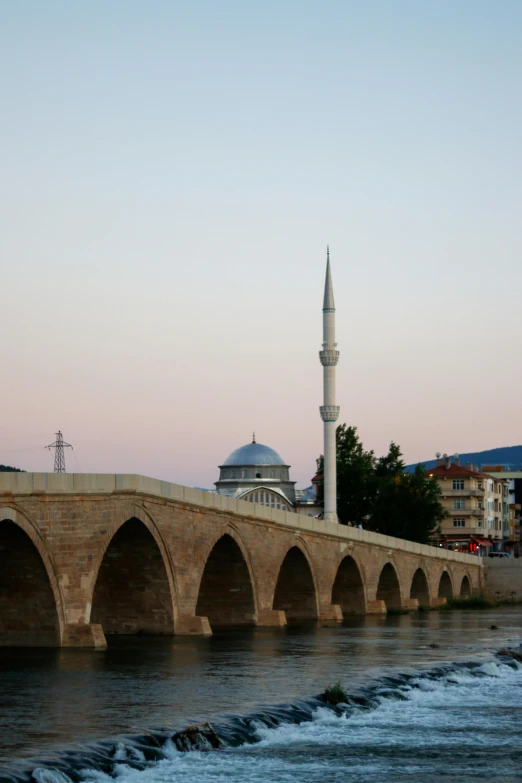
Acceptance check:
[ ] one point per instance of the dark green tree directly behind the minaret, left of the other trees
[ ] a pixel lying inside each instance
(355, 476)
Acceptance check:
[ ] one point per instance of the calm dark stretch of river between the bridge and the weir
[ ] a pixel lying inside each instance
(50, 699)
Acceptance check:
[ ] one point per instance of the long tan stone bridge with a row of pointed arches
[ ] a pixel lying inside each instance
(84, 555)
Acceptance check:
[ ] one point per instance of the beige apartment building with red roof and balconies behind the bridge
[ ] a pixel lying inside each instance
(474, 502)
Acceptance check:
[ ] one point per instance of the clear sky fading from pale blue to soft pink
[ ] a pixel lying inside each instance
(171, 173)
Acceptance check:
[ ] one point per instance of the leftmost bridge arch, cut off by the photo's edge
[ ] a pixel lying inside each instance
(31, 603)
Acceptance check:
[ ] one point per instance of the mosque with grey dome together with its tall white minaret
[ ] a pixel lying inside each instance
(258, 474)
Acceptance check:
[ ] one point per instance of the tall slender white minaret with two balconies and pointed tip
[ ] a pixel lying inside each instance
(329, 357)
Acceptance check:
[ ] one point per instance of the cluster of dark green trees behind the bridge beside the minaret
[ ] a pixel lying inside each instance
(378, 494)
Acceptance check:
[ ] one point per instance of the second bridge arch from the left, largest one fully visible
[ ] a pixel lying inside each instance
(133, 590)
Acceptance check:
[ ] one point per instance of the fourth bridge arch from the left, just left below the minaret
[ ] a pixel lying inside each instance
(296, 587)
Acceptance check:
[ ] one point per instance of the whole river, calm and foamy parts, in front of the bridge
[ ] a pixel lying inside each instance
(431, 702)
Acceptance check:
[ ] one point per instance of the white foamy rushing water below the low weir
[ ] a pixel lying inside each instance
(458, 724)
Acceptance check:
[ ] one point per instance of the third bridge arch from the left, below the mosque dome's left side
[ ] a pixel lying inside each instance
(227, 594)
